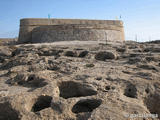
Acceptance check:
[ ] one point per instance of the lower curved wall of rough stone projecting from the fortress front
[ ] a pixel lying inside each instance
(74, 32)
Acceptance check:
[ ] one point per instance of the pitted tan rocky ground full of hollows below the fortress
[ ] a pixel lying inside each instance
(80, 81)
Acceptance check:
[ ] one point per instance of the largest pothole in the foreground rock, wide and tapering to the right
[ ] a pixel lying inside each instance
(69, 89)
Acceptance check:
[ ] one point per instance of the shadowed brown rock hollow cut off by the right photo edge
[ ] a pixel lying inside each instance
(153, 103)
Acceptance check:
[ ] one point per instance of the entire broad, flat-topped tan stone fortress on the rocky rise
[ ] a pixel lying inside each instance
(50, 30)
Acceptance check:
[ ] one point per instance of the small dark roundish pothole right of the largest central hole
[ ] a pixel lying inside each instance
(130, 91)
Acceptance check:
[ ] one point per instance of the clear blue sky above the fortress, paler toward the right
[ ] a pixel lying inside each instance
(141, 17)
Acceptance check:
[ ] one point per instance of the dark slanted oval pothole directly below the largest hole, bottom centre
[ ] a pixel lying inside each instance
(86, 105)
